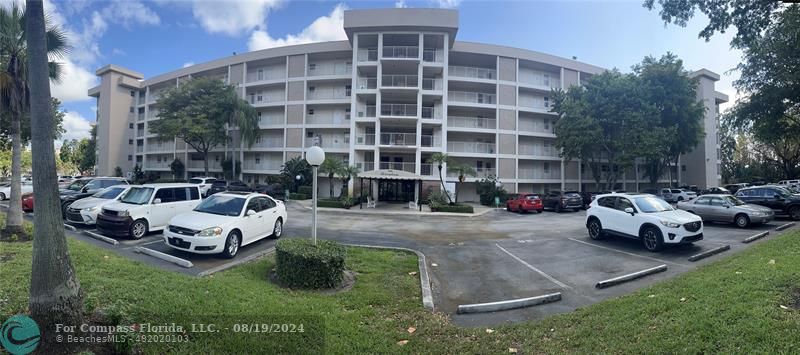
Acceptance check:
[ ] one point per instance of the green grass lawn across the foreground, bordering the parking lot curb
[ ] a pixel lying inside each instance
(730, 306)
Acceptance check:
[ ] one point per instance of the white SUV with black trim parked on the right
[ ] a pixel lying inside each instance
(644, 217)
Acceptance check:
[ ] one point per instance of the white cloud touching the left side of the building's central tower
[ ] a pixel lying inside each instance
(325, 28)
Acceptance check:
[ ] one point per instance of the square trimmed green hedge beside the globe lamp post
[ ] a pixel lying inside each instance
(301, 264)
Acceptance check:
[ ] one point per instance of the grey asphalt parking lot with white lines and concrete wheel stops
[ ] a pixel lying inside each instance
(494, 257)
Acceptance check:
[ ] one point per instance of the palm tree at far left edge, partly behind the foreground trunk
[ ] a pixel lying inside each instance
(15, 93)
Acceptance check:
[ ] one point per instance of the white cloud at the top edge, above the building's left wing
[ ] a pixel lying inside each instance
(232, 17)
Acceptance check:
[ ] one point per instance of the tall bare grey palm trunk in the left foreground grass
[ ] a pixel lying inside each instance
(55, 293)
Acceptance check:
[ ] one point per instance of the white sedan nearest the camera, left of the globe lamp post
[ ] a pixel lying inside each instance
(224, 222)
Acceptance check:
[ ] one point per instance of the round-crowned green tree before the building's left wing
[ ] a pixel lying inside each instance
(199, 113)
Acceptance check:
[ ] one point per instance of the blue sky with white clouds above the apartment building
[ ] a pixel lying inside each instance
(158, 36)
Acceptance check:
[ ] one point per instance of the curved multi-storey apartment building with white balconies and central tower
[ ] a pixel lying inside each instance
(398, 90)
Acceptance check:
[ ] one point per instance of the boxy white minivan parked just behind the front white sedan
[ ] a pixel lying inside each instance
(147, 208)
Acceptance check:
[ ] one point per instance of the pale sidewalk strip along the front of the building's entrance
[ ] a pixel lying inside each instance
(395, 209)
